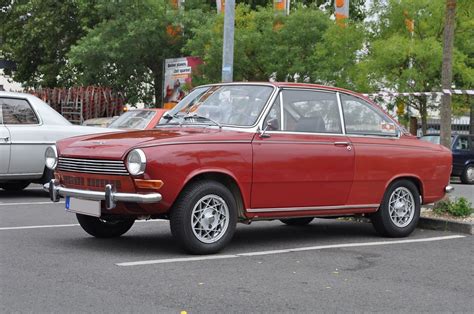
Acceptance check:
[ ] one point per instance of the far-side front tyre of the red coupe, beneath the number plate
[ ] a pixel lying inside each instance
(100, 228)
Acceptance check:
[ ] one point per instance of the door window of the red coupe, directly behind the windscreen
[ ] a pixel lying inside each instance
(310, 111)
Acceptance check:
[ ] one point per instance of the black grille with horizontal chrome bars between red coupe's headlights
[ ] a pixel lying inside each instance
(109, 167)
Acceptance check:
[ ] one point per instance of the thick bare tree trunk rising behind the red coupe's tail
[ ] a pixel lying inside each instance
(447, 73)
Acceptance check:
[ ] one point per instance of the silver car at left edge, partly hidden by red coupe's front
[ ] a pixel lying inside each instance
(27, 127)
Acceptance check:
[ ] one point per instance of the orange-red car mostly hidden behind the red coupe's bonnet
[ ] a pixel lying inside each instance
(138, 119)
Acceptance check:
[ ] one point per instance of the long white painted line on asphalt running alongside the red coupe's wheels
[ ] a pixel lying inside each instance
(300, 249)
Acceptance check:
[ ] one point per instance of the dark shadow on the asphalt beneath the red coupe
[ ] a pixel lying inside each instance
(260, 236)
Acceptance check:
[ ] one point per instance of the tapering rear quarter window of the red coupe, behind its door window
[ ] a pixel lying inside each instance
(360, 118)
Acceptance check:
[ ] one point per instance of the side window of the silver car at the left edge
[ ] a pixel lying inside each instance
(17, 111)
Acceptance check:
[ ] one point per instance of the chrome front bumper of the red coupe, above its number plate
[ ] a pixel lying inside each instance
(109, 195)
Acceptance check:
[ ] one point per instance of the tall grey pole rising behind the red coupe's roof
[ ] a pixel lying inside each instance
(228, 47)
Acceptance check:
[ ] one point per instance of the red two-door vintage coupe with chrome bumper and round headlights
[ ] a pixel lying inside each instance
(241, 152)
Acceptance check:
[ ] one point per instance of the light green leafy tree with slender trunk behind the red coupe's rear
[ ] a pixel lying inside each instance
(410, 61)
